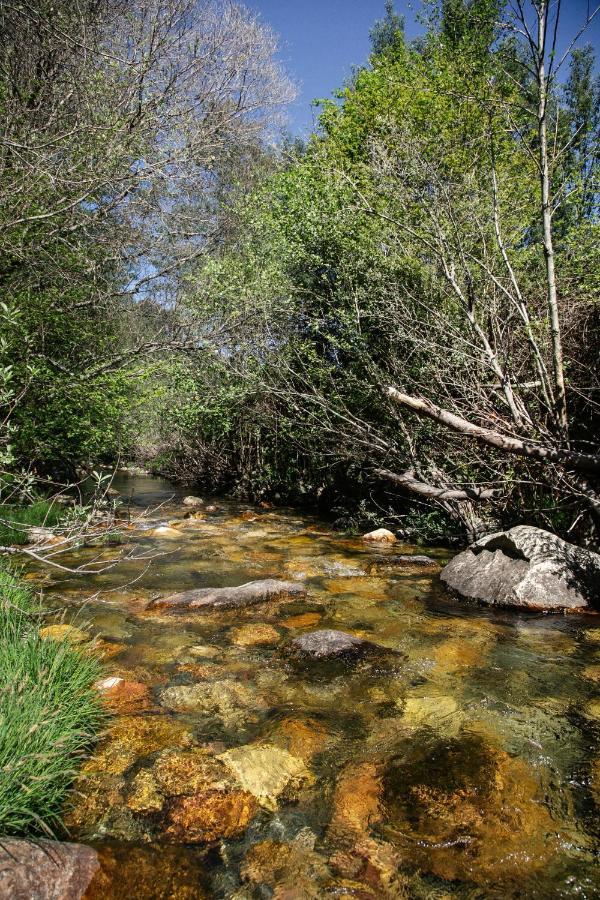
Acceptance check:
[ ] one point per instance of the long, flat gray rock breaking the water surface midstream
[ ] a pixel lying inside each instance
(249, 594)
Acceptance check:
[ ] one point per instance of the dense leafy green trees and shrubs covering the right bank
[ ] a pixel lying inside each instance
(336, 263)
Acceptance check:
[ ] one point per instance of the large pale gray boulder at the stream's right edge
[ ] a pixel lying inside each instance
(526, 567)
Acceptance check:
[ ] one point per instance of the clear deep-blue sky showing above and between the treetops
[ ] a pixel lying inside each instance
(321, 40)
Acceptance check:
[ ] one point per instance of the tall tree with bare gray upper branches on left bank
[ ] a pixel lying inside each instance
(124, 126)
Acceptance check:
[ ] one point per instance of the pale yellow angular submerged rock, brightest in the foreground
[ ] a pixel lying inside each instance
(267, 772)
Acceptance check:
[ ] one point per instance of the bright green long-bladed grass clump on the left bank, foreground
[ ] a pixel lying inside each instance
(49, 714)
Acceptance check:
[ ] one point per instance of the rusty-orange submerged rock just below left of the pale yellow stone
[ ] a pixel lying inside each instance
(209, 816)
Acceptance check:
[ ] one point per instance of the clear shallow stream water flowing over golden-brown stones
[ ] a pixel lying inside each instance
(463, 764)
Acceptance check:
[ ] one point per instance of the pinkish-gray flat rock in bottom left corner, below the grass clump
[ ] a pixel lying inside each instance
(45, 870)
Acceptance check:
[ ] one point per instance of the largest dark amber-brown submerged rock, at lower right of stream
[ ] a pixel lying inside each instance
(464, 811)
